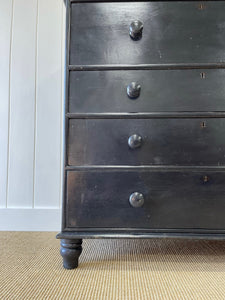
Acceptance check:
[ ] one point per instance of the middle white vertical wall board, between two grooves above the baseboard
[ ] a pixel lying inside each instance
(22, 104)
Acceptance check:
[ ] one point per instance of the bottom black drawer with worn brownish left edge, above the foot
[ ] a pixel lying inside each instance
(166, 200)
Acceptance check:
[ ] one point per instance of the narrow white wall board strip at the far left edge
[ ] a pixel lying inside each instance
(5, 37)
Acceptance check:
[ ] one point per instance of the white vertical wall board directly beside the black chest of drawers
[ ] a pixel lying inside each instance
(49, 103)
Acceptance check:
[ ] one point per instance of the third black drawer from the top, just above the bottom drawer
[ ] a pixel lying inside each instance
(146, 142)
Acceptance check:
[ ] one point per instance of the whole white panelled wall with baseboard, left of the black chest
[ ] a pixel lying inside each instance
(32, 34)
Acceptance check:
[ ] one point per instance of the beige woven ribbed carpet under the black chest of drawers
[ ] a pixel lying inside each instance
(31, 268)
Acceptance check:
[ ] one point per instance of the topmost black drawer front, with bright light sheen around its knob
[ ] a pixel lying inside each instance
(173, 32)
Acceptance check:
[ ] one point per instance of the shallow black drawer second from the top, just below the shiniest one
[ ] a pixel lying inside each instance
(155, 90)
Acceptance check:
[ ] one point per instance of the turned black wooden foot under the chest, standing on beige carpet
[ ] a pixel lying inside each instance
(70, 251)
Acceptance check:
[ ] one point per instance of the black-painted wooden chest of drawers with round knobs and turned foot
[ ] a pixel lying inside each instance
(144, 122)
